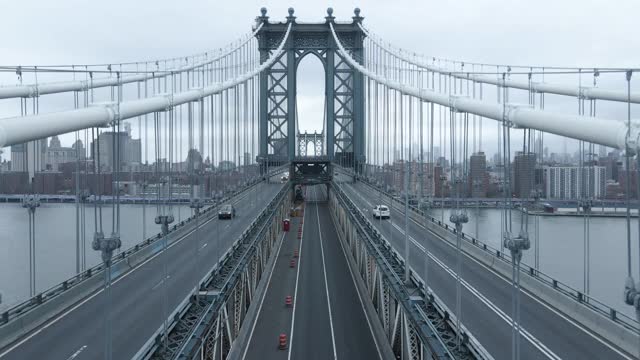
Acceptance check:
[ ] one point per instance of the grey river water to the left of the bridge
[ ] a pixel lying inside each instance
(56, 242)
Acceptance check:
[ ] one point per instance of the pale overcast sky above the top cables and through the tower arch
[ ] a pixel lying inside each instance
(594, 33)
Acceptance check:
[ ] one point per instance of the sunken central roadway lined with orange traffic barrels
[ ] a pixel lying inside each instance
(327, 320)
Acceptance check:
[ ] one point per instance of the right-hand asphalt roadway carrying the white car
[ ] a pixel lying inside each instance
(486, 296)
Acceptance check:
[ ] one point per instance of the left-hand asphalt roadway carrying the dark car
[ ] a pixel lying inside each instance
(137, 297)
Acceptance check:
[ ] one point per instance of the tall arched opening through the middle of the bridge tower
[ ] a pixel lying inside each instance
(310, 97)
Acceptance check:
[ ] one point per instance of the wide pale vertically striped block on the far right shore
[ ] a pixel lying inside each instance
(566, 182)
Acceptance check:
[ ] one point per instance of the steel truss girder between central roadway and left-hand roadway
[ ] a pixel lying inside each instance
(209, 323)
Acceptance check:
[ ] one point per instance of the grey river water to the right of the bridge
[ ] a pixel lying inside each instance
(562, 248)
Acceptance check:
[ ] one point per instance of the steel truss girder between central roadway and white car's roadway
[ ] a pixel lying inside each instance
(414, 327)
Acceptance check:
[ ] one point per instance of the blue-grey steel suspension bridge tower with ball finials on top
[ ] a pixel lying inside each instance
(343, 138)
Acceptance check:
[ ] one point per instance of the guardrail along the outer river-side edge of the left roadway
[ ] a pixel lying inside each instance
(57, 290)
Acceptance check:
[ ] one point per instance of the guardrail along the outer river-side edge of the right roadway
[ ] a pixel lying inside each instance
(586, 300)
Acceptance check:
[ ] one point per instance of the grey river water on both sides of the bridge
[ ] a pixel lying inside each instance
(561, 246)
